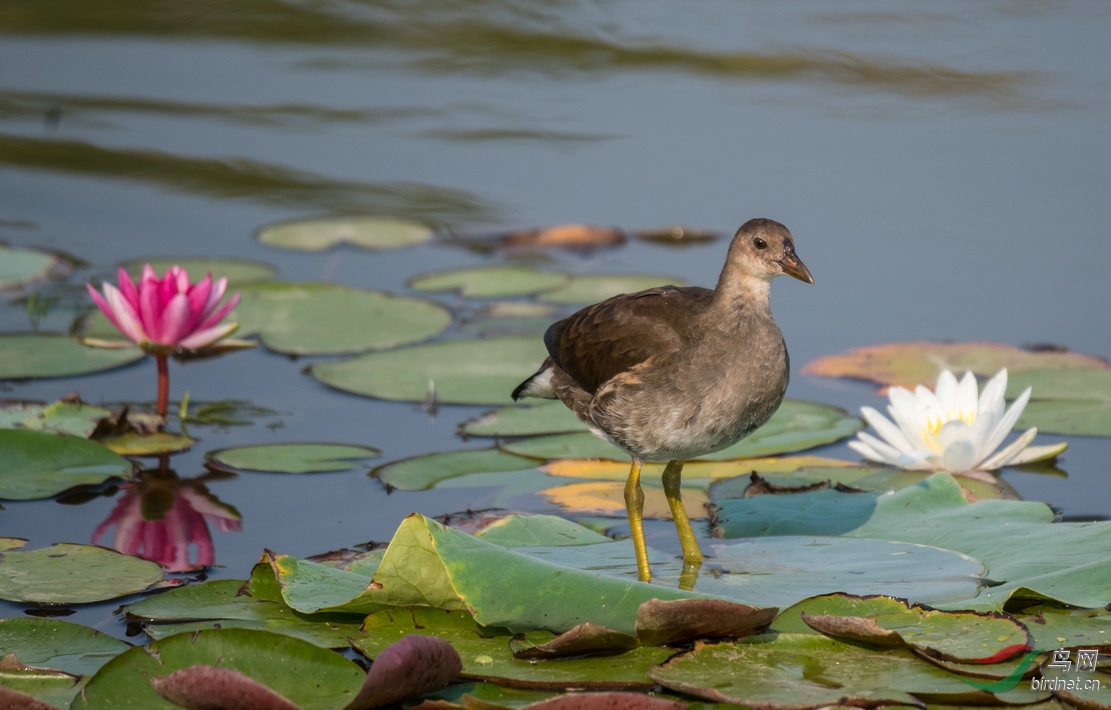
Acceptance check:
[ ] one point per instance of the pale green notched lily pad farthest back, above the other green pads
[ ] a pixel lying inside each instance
(368, 233)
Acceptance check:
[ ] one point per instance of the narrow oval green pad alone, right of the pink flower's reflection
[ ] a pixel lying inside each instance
(293, 458)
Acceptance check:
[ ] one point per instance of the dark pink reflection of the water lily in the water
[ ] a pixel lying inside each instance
(165, 519)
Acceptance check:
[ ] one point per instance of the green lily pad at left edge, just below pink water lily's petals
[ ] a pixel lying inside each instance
(57, 355)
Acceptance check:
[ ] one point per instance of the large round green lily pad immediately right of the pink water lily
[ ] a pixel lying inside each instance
(328, 319)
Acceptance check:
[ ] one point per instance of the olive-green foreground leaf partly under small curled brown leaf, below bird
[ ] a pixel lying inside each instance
(486, 654)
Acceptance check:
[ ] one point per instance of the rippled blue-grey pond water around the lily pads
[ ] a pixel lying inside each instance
(946, 173)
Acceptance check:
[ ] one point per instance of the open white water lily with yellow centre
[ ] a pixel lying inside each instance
(952, 429)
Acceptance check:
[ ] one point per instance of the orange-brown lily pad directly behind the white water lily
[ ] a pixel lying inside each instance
(917, 363)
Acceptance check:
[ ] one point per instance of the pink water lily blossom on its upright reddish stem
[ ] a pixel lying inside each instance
(166, 315)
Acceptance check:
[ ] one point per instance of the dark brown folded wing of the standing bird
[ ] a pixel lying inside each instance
(610, 337)
